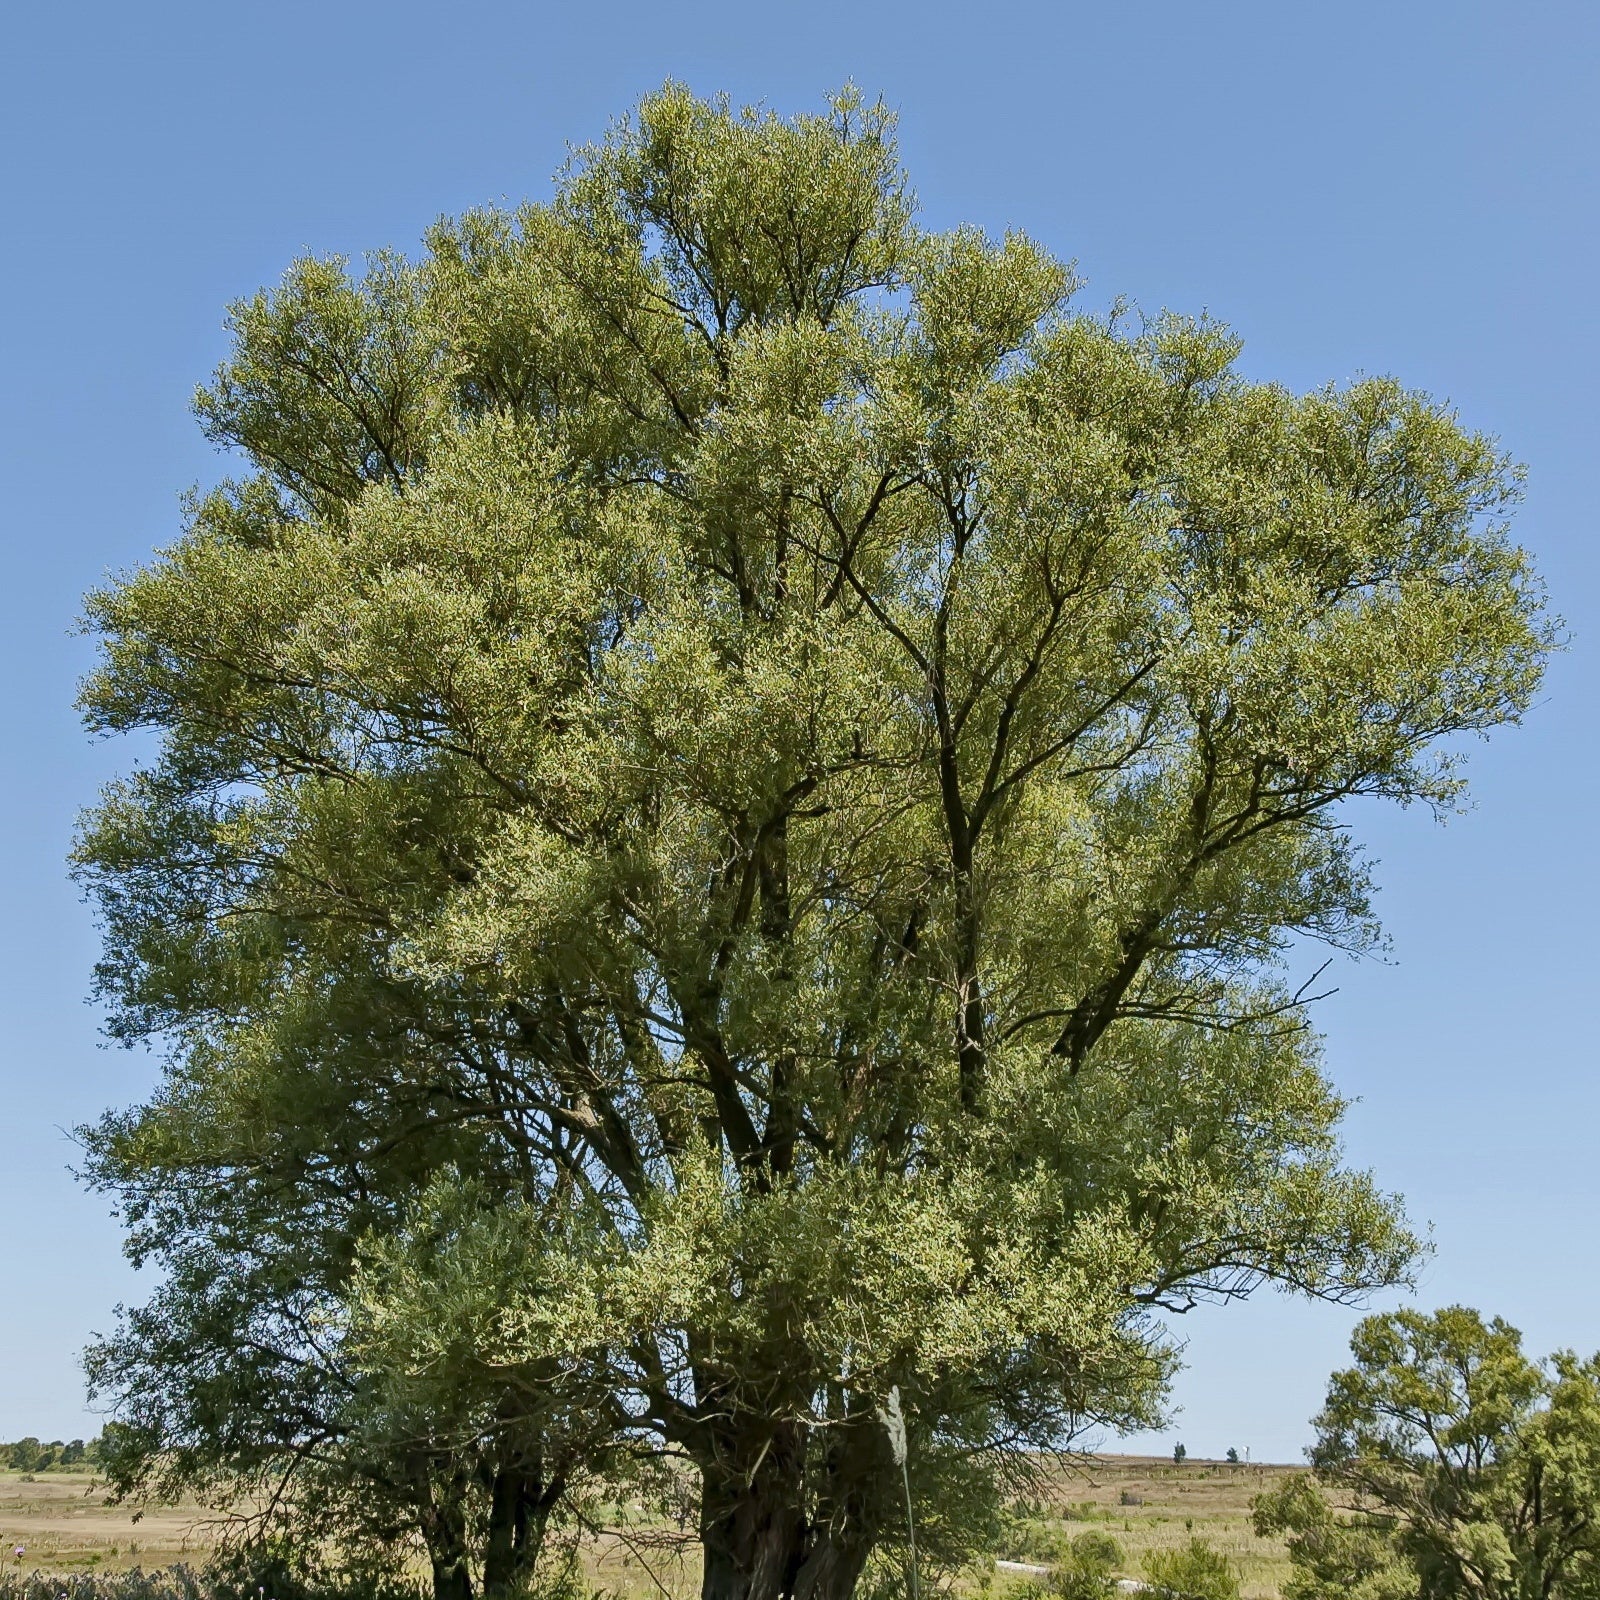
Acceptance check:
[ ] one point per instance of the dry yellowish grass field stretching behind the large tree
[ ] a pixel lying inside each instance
(1145, 1503)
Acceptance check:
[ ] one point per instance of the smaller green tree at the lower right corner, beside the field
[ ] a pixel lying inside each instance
(1450, 1465)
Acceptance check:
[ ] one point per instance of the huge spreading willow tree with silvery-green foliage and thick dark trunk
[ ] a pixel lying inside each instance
(734, 788)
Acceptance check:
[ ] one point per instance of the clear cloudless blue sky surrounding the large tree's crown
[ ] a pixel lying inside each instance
(1383, 186)
